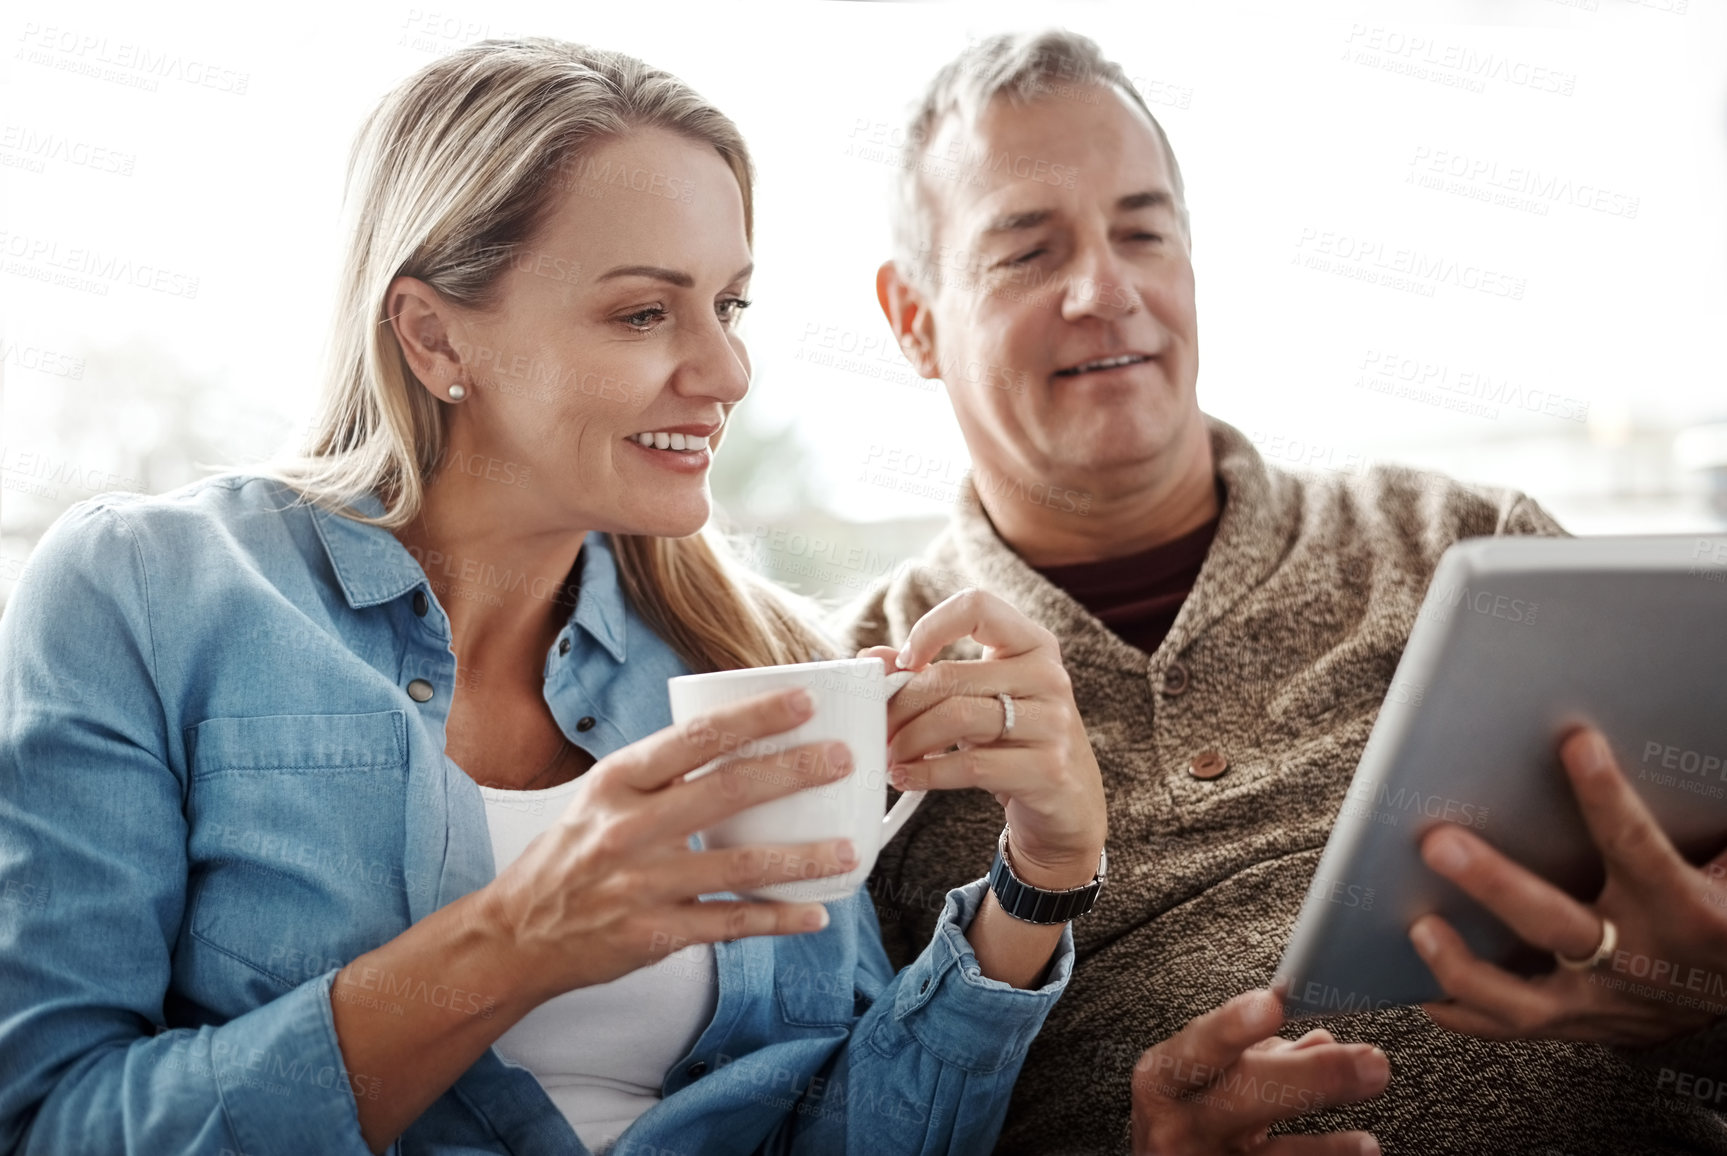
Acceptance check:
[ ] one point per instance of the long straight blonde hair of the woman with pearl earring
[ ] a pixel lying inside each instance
(450, 177)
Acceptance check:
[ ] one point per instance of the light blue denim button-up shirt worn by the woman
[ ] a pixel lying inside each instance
(217, 791)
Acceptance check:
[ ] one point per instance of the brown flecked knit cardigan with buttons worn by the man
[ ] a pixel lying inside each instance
(1279, 661)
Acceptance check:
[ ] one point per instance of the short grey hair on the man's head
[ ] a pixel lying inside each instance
(1020, 68)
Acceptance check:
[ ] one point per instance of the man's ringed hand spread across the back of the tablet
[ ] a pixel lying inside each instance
(1662, 975)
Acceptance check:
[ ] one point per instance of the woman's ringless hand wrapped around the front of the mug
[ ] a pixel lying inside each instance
(612, 886)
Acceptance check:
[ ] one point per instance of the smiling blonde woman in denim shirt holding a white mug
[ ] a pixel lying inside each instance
(364, 827)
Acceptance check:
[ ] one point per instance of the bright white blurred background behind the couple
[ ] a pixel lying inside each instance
(1553, 174)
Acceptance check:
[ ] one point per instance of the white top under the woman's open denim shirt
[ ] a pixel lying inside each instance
(602, 1051)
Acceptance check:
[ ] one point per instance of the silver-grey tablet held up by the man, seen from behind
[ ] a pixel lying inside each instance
(1517, 642)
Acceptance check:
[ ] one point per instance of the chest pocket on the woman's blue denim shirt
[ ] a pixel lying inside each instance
(294, 844)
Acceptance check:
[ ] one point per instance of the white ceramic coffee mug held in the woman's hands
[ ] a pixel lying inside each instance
(851, 699)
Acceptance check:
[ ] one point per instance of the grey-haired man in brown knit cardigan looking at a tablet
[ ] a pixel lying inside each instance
(1230, 632)
